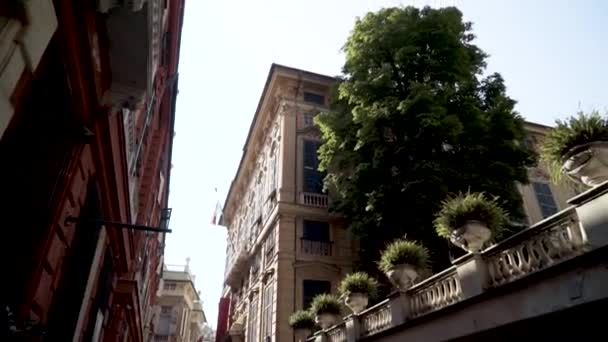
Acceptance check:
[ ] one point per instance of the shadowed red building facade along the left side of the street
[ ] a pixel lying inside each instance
(87, 142)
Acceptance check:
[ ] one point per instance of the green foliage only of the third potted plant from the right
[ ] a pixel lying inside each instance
(403, 251)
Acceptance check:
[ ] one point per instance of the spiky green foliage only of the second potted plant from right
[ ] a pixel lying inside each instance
(457, 210)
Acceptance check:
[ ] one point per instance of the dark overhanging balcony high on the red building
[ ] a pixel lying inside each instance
(134, 32)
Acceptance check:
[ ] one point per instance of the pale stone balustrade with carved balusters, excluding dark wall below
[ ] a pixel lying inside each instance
(577, 230)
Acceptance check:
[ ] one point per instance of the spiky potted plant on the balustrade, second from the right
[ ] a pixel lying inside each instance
(470, 220)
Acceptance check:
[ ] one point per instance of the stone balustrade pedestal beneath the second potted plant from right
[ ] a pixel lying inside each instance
(472, 274)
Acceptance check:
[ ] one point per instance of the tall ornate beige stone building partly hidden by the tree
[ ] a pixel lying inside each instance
(283, 245)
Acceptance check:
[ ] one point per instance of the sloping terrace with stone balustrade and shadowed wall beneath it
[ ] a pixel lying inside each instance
(546, 275)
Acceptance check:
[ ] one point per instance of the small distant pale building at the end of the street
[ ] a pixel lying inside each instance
(178, 313)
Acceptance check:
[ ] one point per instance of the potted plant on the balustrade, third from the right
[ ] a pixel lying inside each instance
(402, 261)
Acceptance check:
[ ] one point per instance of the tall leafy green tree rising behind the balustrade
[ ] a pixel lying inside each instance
(413, 119)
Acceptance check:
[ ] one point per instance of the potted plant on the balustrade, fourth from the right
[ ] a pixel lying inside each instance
(357, 288)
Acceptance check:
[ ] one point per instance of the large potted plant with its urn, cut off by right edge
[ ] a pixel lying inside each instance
(578, 147)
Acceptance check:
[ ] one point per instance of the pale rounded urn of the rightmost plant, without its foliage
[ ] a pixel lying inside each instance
(587, 163)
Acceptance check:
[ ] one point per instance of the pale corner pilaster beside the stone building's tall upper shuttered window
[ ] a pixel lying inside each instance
(288, 154)
